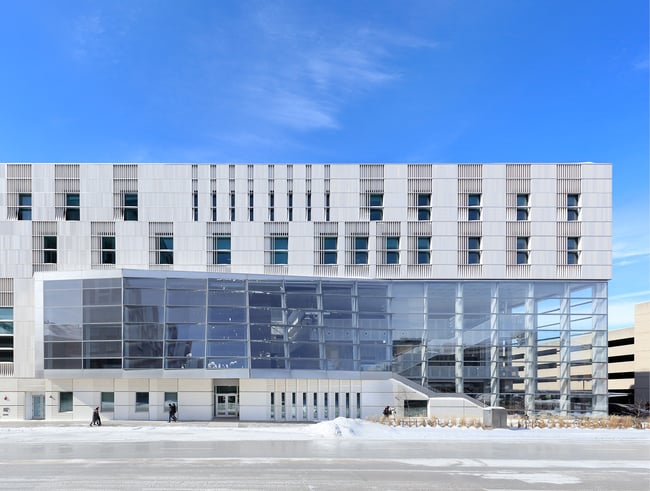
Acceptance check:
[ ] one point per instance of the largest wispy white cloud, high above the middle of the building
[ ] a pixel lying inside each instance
(309, 75)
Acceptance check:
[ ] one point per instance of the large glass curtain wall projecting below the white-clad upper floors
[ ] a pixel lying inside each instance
(527, 346)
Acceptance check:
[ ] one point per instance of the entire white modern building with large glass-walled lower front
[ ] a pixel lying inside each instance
(300, 291)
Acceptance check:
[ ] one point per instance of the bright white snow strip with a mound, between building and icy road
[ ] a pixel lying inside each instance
(338, 429)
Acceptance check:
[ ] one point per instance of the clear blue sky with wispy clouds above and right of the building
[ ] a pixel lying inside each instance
(340, 81)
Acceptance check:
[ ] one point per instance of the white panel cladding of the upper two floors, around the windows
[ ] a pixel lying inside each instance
(165, 194)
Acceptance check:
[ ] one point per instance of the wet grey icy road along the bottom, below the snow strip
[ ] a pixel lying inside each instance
(327, 465)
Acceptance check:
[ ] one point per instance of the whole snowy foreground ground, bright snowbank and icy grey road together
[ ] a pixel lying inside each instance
(333, 455)
